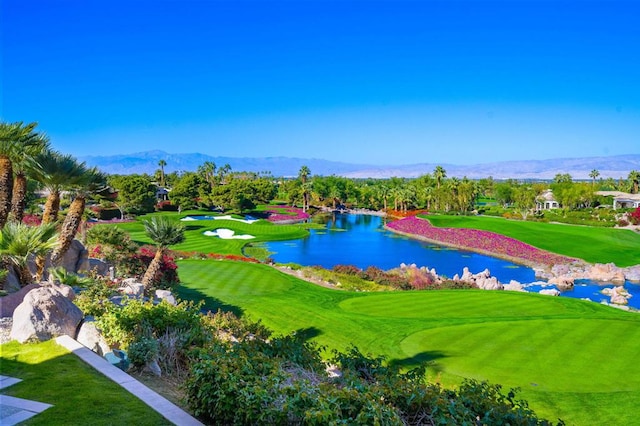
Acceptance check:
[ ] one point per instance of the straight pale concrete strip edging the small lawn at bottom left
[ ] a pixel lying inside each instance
(166, 408)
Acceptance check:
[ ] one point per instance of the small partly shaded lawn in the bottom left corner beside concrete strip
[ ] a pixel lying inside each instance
(79, 394)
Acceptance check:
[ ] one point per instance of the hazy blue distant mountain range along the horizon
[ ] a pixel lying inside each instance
(579, 168)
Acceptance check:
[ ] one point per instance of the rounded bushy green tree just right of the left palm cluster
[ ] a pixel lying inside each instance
(136, 193)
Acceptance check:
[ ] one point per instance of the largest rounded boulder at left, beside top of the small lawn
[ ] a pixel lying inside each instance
(43, 314)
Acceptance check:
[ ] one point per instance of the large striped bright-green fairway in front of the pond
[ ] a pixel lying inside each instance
(573, 359)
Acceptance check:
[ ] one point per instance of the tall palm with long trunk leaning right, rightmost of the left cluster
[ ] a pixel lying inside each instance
(91, 183)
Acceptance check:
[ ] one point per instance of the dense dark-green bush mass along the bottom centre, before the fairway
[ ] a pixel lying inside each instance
(284, 382)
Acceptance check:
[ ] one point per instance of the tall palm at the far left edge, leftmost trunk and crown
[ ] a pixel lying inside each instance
(15, 140)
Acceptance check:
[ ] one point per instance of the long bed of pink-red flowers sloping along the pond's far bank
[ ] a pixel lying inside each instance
(479, 241)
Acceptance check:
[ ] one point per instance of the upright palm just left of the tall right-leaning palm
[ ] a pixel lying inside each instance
(57, 171)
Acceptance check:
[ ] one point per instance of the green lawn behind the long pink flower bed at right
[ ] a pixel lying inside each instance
(593, 244)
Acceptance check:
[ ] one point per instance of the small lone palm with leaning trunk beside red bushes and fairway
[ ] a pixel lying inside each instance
(164, 233)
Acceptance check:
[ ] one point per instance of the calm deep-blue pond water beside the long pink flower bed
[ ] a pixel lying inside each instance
(360, 240)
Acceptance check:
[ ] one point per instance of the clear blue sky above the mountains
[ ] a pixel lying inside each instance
(371, 82)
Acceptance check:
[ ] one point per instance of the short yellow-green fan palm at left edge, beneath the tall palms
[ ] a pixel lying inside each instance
(19, 241)
